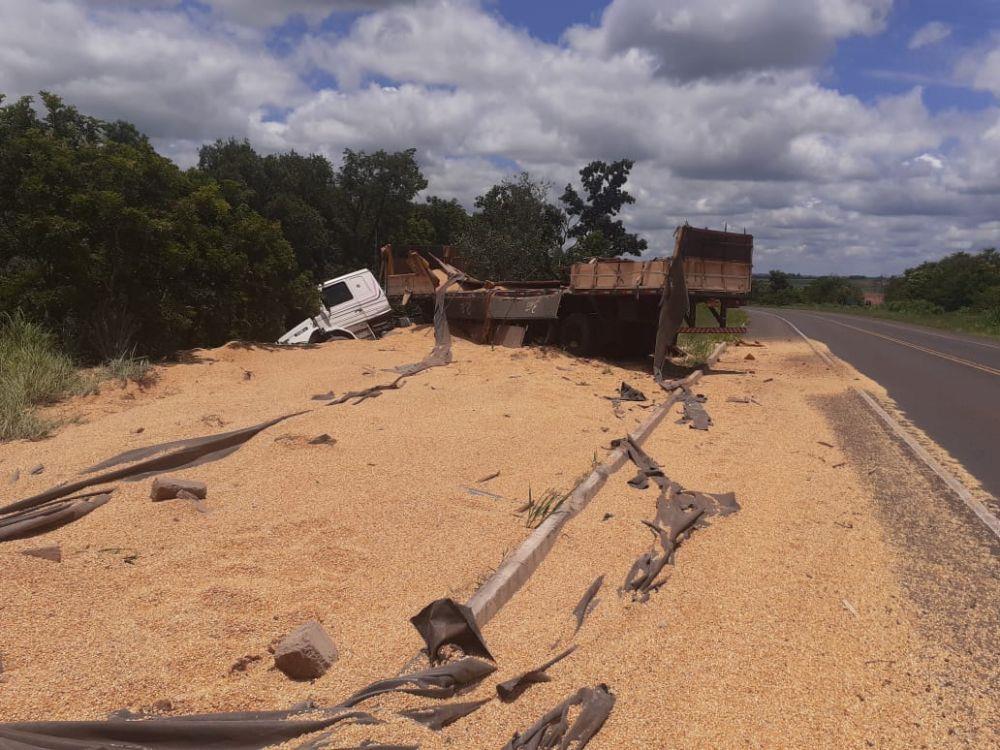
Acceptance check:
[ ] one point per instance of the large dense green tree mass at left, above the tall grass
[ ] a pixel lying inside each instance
(112, 246)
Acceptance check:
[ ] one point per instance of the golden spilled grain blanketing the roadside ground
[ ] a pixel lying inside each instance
(794, 623)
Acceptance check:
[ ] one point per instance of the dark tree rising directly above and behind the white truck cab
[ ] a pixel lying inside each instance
(372, 201)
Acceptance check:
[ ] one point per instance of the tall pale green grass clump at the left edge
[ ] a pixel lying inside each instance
(32, 372)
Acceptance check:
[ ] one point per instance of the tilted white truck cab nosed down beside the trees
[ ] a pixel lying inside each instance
(354, 306)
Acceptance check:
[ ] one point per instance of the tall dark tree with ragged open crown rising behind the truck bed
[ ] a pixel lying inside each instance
(595, 227)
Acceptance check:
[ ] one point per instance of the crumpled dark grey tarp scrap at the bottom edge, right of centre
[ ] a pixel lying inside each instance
(554, 728)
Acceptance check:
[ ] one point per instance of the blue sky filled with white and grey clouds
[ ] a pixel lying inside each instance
(848, 136)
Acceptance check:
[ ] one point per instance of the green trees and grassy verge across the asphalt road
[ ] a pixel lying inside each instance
(960, 292)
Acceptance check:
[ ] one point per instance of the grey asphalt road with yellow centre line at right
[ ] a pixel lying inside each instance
(947, 384)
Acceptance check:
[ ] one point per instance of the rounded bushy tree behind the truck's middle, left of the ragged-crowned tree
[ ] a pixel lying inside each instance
(515, 231)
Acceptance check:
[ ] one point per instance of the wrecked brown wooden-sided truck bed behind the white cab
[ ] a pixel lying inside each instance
(608, 306)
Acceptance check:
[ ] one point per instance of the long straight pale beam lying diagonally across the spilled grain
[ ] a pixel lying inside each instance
(515, 571)
